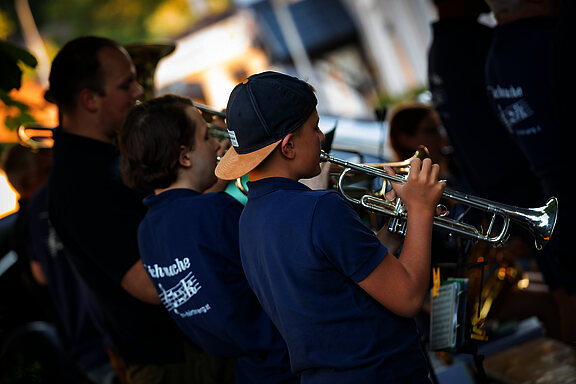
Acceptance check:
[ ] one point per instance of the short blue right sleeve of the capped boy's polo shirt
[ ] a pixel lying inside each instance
(341, 237)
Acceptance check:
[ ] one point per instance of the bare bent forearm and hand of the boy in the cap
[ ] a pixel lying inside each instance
(400, 284)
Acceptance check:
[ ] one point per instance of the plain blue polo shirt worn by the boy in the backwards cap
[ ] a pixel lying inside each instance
(304, 252)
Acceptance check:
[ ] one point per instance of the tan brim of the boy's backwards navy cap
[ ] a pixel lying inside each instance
(232, 165)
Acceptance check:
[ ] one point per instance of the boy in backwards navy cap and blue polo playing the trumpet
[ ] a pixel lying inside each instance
(340, 299)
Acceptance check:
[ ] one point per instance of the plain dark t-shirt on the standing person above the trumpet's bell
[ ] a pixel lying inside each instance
(482, 146)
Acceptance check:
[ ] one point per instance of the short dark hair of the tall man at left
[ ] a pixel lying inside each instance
(77, 67)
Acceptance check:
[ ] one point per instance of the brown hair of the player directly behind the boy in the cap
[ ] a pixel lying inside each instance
(150, 141)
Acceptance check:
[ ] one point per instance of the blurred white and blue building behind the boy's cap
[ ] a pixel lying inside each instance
(350, 50)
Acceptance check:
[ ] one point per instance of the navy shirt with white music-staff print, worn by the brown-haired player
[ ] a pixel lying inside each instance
(189, 246)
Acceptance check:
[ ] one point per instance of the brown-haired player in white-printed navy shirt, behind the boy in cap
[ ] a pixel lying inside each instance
(188, 240)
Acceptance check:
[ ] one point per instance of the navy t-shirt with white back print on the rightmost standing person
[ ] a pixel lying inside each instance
(519, 86)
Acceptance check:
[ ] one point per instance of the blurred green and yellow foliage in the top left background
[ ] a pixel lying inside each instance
(126, 21)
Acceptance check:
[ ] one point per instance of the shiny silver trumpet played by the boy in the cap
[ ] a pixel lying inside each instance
(539, 222)
